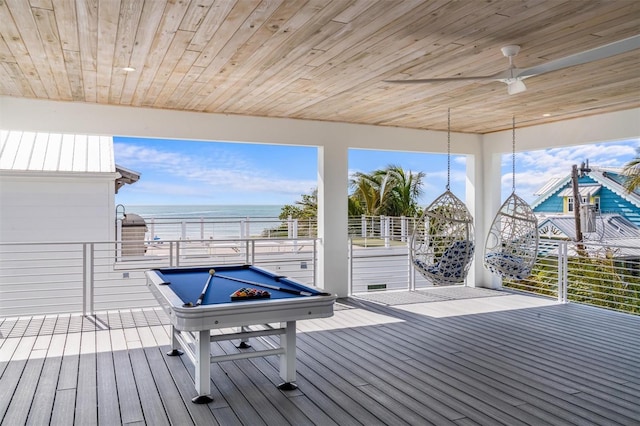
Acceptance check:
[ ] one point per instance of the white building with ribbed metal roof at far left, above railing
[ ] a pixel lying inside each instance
(58, 187)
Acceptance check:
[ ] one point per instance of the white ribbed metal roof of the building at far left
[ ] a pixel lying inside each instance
(54, 152)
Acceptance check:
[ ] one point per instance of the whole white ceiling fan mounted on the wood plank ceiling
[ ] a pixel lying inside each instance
(514, 76)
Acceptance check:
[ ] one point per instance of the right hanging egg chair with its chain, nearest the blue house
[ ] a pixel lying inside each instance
(511, 248)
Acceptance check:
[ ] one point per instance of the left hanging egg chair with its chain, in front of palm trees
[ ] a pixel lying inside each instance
(442, 244)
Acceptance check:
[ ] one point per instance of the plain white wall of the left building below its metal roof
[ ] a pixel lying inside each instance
(51, 207)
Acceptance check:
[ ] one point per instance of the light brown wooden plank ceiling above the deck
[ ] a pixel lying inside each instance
(322, 59)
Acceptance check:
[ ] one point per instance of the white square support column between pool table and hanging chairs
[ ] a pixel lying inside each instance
(333, 189)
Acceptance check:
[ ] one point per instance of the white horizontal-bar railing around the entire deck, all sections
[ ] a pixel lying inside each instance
(41, 278)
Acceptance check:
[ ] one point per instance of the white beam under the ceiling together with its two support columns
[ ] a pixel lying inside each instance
(334, 139)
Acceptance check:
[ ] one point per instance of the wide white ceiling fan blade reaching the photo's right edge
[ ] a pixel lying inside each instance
(602, 52)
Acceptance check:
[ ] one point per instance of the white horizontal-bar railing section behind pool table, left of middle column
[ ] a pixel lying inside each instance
(47, 278)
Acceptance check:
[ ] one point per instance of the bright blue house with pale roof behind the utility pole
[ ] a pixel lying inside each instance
(602, 188)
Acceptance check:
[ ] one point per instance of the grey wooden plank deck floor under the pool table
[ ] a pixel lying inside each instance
(452, 356)
